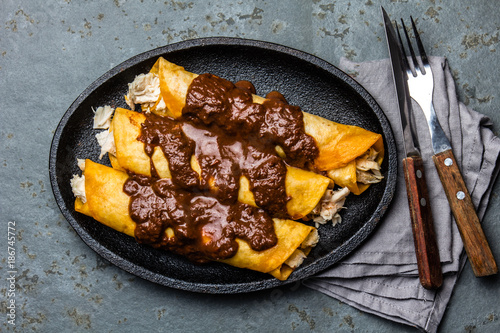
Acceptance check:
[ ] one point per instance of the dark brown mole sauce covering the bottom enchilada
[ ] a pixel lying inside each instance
(203, 228)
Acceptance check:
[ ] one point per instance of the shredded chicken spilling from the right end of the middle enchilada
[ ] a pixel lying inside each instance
(329, 206)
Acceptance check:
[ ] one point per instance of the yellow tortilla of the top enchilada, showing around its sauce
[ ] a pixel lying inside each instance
(338, 144)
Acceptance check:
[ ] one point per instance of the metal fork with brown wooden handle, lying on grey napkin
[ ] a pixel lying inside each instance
(421, 86)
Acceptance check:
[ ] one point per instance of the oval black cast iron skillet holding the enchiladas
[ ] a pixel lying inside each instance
(305, 80)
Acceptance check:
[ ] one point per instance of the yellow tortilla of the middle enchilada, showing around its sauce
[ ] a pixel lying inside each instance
(305, 188)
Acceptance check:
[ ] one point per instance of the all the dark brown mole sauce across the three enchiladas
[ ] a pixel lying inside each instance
(231, 137)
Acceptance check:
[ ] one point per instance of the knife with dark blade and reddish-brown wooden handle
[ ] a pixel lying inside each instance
(424, 236)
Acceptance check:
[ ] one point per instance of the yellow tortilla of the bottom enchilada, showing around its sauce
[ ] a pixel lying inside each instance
(108, 204)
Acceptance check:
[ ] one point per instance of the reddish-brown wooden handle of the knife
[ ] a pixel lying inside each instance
(424, 236)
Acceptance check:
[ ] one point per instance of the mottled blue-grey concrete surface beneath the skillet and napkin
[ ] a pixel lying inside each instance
(50, 51)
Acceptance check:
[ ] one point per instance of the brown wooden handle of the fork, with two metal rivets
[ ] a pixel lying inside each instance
(475, 242)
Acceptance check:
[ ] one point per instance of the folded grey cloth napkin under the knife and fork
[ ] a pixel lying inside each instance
(381, 276)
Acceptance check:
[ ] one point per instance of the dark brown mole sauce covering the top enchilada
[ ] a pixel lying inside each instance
(211, 99)
